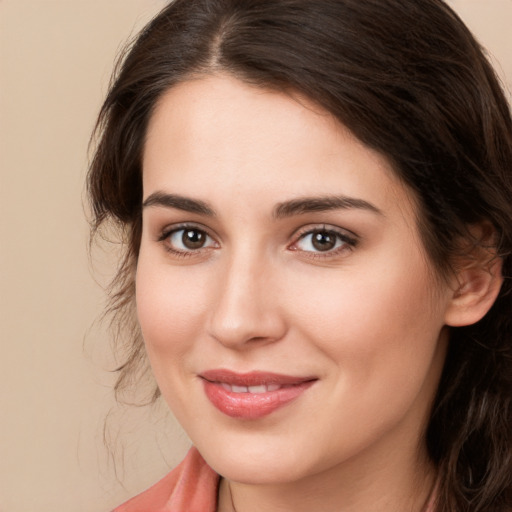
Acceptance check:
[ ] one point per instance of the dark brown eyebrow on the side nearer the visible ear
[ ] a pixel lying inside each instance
(321, 204)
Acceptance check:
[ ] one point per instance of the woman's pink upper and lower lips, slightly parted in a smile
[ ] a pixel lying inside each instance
(280, 391)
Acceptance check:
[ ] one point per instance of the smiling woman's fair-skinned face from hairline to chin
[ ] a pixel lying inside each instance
(292, 319)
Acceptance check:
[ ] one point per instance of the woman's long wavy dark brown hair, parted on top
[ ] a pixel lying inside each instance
(409, 80)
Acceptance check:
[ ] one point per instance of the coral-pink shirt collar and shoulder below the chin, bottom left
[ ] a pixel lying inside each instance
(190, 487)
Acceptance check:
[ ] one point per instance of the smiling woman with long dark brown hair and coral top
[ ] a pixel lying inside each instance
(315, 199)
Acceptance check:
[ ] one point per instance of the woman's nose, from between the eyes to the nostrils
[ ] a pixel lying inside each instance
(246, 310)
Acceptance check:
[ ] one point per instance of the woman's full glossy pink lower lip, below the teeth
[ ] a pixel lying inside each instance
(252, 406)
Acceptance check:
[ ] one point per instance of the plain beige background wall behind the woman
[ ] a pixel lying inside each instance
(55, 61)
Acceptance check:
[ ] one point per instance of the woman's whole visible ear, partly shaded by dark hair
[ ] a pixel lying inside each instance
(478, 280)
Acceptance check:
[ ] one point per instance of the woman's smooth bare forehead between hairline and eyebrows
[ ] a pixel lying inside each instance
(225, 140)
